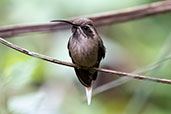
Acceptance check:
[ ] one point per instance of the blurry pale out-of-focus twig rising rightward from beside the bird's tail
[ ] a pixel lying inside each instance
(164, 51)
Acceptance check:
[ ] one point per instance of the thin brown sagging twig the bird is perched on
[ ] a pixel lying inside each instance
(52, 60)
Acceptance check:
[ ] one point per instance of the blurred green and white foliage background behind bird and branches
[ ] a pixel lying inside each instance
(33, 86)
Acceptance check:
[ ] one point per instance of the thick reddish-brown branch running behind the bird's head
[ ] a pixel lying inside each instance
(126, 15)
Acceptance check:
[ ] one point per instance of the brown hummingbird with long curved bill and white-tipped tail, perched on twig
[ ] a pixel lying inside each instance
(86, 50)
